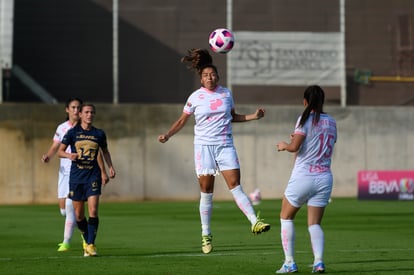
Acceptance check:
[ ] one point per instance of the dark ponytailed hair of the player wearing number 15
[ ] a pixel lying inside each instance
(315, 97)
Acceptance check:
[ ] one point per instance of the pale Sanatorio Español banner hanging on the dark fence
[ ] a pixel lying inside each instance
(287, 58)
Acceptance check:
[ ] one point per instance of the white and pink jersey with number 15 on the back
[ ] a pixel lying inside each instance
(315, 154)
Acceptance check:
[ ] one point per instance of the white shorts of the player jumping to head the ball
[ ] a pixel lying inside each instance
(211, 159)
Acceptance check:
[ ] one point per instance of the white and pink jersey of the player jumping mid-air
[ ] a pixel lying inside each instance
(212, 112)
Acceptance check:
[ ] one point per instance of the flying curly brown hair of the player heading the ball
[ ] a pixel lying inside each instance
(198, 60)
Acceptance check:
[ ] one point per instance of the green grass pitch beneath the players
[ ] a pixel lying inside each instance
(361, 237)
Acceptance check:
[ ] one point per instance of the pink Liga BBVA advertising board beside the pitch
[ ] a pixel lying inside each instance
(386, 185)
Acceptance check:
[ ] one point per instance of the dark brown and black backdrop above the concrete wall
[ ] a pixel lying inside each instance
(66, 46)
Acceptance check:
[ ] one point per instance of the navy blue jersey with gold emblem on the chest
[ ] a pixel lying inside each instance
(86, 144)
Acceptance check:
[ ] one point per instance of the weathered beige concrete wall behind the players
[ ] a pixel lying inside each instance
(368, 138)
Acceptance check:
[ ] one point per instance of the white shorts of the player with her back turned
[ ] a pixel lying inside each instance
(315, 191)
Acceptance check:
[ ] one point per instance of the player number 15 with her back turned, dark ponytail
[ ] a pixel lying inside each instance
(310, 183)
